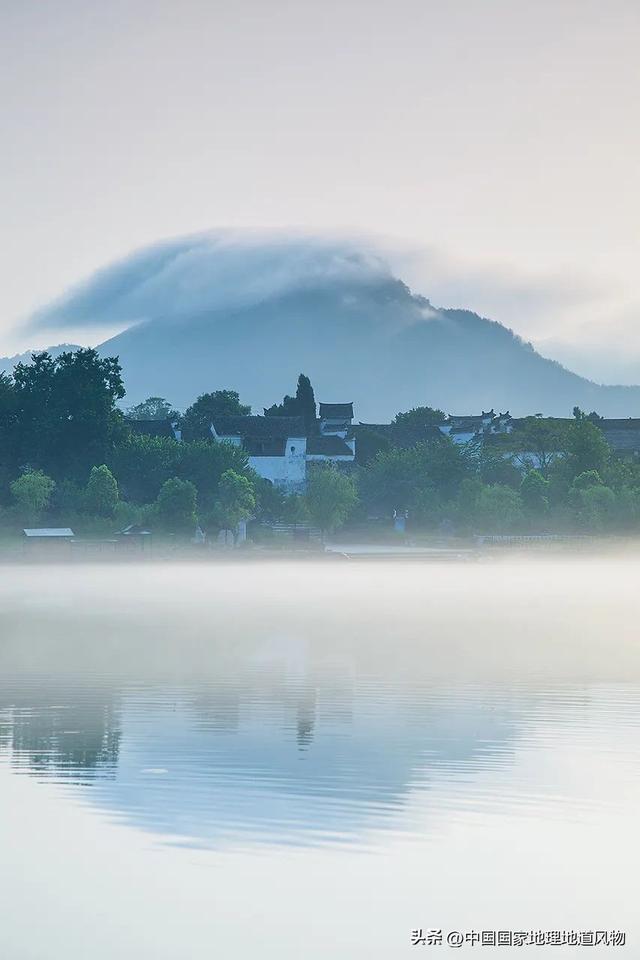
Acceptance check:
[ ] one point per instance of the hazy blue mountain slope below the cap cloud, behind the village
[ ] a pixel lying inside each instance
(378, 345)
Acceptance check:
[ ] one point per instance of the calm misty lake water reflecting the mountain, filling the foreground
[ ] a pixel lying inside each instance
(316, 760)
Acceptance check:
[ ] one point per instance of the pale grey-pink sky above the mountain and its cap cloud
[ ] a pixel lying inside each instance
(491, 147)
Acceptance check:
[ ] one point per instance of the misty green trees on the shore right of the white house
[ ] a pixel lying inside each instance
(548, 475)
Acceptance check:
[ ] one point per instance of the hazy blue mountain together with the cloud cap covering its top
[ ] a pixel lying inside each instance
(251, 312)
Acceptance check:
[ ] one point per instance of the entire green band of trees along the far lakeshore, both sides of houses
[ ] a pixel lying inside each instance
(68, 454)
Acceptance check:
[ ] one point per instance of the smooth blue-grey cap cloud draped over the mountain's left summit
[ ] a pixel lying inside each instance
(213, 271)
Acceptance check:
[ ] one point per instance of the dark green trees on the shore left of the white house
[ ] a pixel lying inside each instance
(69, 456)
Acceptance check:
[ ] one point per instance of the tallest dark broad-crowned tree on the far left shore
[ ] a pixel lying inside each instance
(67, 418)
